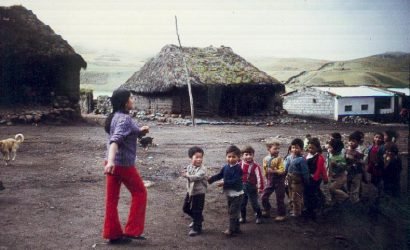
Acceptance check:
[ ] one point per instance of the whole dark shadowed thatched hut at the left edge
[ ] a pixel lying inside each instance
(37, 66)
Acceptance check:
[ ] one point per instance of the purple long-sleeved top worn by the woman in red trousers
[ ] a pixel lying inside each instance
(124, 131)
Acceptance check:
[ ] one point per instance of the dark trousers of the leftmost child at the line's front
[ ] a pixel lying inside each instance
(194, 206)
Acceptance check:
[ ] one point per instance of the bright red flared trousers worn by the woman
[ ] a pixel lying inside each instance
(136, 218)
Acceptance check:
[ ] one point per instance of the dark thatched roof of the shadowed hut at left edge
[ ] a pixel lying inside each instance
(23, 35)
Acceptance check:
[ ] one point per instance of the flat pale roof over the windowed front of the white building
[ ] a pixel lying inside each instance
(361, 91)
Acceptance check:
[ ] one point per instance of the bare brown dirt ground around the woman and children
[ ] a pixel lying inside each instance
(54, 196)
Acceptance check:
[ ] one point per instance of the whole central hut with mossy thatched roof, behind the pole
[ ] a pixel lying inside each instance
(223, 84)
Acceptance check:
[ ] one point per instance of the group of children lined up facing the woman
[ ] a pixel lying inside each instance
(299, 175)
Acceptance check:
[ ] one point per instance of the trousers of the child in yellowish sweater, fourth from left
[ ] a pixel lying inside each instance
(275, 184)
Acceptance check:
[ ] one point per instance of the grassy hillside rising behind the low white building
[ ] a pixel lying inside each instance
(385, 70)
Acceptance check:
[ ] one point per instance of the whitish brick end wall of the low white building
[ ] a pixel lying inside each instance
(311, 102)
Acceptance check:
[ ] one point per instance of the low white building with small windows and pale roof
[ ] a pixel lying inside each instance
(337, 102)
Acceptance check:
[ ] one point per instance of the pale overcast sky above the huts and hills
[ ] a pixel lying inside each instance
(327, 29)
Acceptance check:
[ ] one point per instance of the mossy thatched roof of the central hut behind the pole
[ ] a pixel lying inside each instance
(206, 66)
